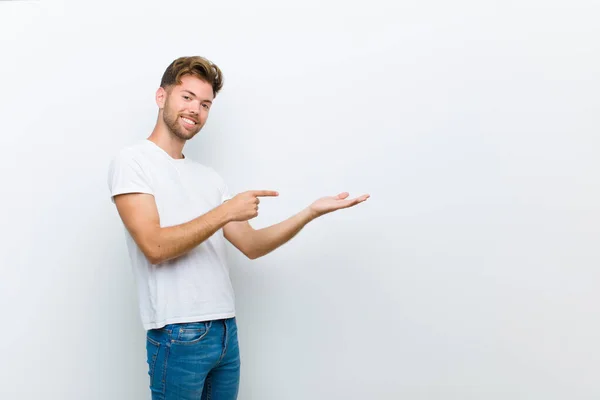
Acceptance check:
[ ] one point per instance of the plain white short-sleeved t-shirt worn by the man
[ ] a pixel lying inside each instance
(195, 286)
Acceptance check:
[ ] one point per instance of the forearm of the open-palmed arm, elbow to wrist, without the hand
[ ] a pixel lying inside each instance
(268, 239)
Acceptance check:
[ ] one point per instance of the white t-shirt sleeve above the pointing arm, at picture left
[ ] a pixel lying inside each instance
(126, 175)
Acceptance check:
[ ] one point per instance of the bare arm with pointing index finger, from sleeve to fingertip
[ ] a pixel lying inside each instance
(139, 213)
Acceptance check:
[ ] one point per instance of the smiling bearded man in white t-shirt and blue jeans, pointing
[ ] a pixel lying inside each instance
(177, 214)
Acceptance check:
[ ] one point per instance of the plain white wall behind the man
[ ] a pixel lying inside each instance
(472, 271)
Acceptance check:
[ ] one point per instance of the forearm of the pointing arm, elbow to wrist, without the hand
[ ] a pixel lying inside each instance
(171, 242)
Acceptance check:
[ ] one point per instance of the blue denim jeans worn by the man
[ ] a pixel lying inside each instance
(199, 360)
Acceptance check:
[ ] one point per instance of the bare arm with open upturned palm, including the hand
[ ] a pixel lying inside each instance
(255, 243)
